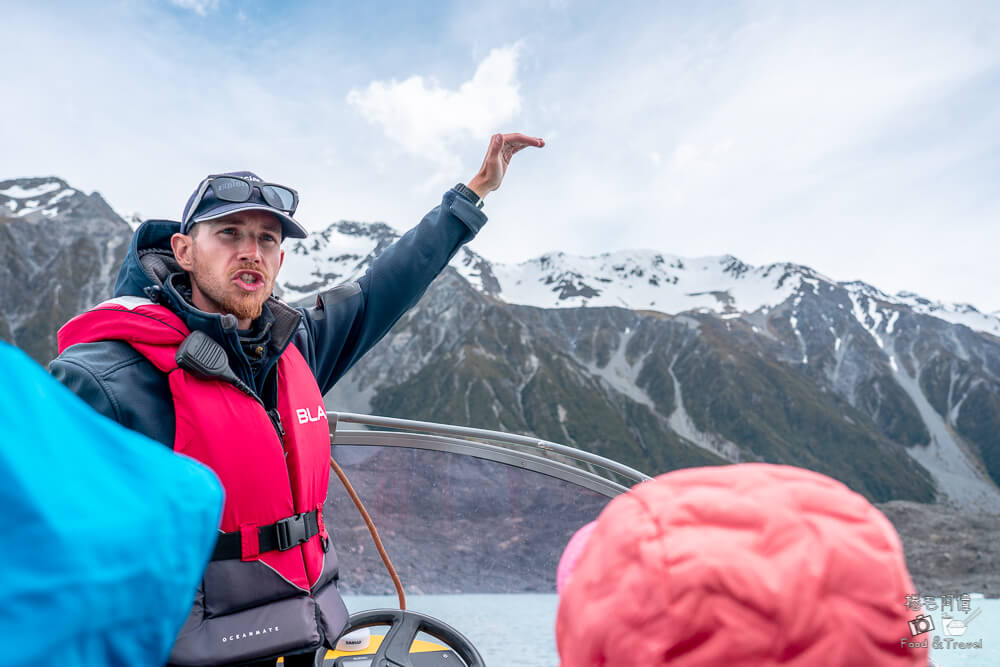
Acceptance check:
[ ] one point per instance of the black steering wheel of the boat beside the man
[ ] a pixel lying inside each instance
(403, 628)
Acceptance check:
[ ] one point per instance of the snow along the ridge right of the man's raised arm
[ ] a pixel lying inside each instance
(647, 280)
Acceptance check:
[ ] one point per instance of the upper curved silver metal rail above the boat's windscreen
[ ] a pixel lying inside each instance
(492, 436)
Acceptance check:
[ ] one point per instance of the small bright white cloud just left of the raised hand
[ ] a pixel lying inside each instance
(426, 119)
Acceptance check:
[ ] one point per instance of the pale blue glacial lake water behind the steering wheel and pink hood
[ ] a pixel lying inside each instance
(520, 629)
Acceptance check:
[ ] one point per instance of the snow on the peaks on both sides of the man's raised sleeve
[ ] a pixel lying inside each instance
(633, 279)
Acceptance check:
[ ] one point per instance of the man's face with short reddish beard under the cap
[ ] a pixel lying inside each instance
(233, 262)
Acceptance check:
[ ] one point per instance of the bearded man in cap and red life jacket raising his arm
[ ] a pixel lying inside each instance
(195, 352)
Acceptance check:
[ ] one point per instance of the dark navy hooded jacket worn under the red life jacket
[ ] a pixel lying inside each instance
(345, 323)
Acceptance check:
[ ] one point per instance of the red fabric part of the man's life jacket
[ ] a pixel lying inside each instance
(266, 478)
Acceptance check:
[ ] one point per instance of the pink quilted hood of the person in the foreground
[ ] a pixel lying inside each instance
(743, 565)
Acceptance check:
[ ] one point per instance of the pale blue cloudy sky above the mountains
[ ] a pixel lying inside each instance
(860, 138)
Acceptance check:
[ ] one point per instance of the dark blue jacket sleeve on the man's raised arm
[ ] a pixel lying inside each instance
(351, 318)
